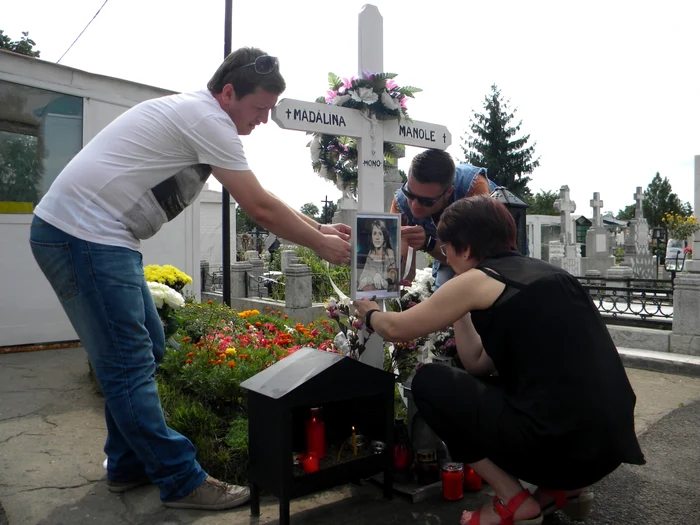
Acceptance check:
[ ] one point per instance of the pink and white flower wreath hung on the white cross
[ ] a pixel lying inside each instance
(335, 158)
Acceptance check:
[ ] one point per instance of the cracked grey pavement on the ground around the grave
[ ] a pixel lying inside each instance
(52, 433)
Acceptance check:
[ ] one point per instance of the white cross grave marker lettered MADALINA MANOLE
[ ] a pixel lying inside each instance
(370, 134)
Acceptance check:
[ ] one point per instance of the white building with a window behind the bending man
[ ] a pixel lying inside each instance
(47, 113)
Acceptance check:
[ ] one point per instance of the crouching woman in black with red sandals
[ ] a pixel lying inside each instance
(559, 414)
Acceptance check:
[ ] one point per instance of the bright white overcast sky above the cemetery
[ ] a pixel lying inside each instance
(609, 90)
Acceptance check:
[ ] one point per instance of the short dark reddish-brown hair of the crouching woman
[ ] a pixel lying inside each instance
(479, 223)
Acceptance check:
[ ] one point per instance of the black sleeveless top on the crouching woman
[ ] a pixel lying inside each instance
(557, 363)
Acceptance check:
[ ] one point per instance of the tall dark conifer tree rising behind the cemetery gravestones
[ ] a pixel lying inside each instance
(492, 144)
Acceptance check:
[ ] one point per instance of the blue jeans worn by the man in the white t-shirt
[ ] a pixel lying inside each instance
(104, 293)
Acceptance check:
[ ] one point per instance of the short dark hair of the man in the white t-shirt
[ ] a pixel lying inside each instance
(244, 79)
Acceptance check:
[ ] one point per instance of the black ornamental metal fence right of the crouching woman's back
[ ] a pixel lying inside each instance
(646, 303)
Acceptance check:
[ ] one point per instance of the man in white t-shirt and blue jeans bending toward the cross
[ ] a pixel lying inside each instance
(137, 174)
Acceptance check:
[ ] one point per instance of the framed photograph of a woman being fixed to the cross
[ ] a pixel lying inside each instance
(375, 266)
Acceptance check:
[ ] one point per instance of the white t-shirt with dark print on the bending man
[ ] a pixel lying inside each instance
(142, 170)
